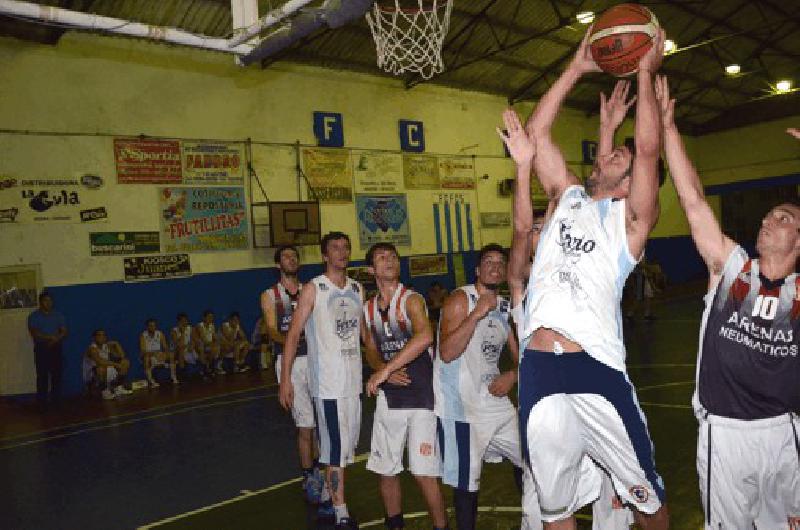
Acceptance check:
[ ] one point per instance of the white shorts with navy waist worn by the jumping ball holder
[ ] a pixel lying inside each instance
(573, 406)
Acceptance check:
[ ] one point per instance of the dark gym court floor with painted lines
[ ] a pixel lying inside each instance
(222, 454)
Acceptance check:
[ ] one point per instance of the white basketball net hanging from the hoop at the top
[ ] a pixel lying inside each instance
(410, 39)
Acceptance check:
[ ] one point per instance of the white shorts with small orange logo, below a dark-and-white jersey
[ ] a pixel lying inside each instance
(393, 430)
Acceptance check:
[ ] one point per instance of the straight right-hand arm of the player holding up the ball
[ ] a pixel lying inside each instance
(642, 203)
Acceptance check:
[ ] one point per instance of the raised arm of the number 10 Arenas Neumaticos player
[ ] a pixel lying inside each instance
(713, 245)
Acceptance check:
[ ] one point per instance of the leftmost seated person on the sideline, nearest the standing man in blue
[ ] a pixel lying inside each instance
(105, 363)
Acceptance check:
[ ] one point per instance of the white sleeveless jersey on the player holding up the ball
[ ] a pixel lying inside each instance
(576, 280)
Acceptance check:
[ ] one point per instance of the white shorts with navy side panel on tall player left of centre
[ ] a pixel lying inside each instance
(338, 427)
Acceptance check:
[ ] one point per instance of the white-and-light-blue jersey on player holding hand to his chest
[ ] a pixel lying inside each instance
(461, 387)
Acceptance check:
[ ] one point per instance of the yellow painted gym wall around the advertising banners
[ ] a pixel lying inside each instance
(119, 86)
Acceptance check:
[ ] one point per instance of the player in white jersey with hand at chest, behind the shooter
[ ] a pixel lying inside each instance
(476, 418)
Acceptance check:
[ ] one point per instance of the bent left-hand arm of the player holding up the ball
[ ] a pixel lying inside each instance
(550, 166)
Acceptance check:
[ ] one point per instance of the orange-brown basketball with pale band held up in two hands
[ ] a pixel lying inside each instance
(621, 36)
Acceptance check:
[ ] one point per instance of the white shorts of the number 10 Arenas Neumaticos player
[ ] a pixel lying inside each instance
(749, 471)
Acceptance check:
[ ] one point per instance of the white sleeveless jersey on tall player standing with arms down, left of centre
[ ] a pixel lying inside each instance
(333, 335)
